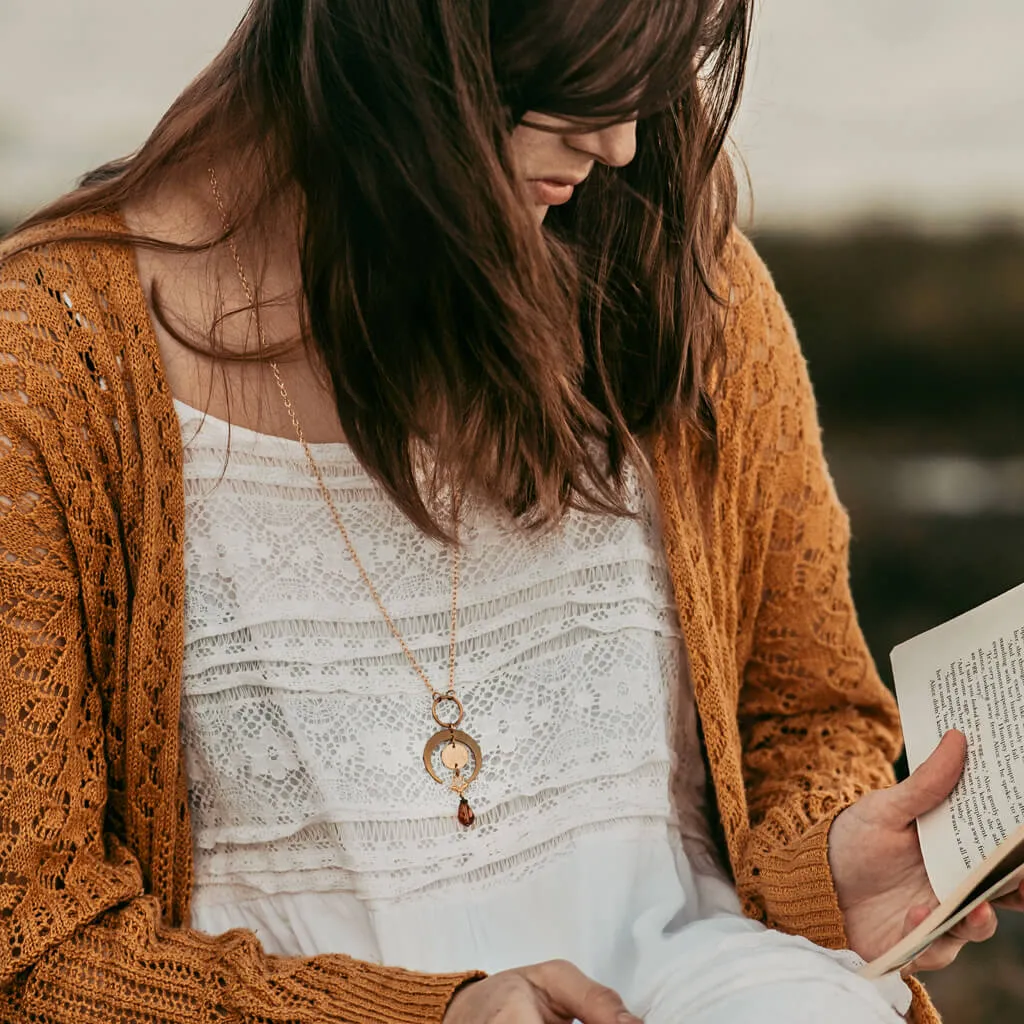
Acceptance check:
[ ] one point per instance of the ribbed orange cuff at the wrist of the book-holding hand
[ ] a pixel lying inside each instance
(798, 890)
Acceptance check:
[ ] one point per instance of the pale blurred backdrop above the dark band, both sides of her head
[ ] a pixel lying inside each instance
(873, 107)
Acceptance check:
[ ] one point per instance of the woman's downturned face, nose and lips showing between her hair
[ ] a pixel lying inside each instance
(558, 155)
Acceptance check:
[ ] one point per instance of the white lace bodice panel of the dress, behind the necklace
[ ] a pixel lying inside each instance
(305, 727)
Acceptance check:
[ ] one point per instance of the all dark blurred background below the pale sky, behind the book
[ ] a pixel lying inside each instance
(917, 350)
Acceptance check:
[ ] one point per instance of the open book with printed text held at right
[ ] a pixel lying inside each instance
(968, 675)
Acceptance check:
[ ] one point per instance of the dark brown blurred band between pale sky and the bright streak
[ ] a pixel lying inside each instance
(913, 342)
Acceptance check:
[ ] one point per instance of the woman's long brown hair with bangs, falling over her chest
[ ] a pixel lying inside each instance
(532, 363)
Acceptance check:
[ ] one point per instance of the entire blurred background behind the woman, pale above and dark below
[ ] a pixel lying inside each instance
(885, 149)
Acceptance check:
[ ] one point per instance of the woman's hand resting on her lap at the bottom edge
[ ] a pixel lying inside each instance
(554, 993)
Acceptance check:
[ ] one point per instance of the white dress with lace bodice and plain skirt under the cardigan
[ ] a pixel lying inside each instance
(315, 824)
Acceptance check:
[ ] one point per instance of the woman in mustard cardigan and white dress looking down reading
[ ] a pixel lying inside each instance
(372, 441)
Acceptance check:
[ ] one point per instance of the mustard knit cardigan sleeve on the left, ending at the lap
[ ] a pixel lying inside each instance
(81, 941)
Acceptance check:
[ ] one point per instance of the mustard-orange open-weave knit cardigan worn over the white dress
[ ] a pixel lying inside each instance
(96, 850)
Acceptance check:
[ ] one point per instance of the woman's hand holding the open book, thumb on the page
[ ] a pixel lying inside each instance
(879, 870)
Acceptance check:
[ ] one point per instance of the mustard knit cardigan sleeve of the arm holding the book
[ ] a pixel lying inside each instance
(818, 727)
